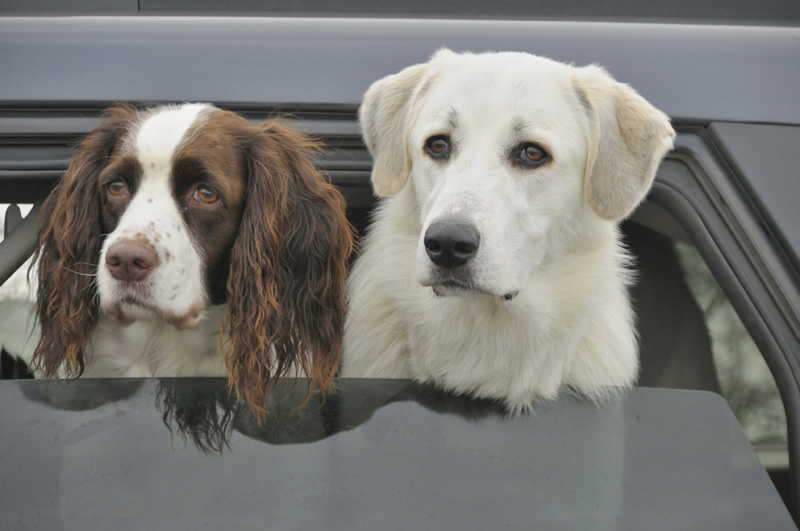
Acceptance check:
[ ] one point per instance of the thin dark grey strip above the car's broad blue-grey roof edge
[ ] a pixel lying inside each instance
(742, 11)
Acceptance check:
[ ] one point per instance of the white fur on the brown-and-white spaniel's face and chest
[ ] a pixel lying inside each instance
(174, 290)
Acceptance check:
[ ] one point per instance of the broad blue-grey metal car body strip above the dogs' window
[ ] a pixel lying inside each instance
(693, 72)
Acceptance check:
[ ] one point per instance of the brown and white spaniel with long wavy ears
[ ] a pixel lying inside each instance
(184, 241)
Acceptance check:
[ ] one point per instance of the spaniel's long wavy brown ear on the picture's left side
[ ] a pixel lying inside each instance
(67, 251)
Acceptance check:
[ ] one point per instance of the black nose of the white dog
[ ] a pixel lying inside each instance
(451, 244)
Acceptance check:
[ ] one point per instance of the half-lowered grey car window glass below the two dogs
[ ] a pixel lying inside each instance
(378, 455)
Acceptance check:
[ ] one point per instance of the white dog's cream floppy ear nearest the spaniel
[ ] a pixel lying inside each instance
(384, 116)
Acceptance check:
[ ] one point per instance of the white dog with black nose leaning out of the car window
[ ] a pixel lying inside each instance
(494, 266)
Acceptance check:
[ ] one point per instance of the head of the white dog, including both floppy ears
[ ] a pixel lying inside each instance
(512, 158)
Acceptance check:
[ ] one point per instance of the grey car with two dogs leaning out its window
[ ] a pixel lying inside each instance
(718, 295)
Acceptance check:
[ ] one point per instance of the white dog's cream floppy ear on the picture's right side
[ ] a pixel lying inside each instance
(628, 139)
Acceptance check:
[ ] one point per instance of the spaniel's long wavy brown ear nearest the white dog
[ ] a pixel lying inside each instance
(286, 294)
